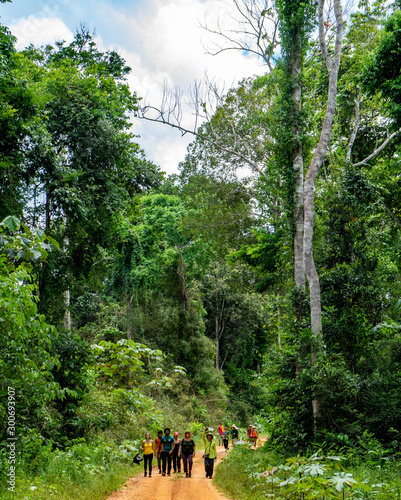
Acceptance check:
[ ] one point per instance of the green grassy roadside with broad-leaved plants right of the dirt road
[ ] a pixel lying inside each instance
(242, 476)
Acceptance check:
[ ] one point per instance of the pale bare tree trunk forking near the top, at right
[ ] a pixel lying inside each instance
(317, 160)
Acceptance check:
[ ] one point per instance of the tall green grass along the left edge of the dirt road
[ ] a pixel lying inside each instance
(88, 470)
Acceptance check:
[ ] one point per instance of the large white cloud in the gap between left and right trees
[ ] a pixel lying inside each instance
(162, 44)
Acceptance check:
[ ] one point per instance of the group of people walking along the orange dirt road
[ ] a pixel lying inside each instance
(170, 450)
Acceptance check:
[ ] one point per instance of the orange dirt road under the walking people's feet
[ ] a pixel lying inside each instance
(175, 487)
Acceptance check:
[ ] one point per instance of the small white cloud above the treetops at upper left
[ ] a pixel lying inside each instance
(40, 31)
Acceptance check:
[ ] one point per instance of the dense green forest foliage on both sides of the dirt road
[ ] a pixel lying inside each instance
(129, 301)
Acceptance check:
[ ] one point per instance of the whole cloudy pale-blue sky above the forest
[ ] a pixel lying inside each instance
(161, 40)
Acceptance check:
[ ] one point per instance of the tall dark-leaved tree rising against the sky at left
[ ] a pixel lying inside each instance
(80, 164)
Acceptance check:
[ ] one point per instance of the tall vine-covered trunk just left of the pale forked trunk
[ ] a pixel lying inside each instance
(296, 21)
